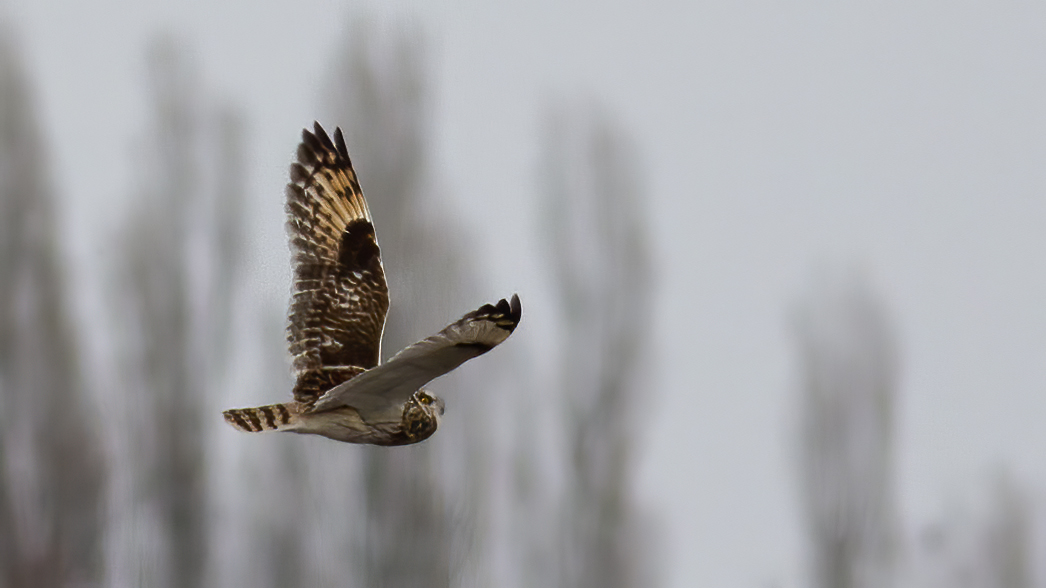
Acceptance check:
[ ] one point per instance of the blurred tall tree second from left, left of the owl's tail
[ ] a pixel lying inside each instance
(179, 261)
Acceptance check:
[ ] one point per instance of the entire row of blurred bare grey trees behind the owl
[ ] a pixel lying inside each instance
(124, 474)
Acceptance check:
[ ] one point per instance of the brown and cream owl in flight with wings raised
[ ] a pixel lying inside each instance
(337, 318)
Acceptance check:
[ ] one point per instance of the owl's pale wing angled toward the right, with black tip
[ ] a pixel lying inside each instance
(380, 393)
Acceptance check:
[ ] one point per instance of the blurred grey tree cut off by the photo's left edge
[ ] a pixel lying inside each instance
(52, 466)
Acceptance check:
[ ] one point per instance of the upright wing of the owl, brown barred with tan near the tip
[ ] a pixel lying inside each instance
(340, 298)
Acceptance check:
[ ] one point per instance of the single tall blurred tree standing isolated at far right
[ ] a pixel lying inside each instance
(848, 379)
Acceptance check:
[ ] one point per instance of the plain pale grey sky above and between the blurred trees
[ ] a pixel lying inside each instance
(776, 139)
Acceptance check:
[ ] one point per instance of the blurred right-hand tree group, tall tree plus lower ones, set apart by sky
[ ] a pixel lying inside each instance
(849, 385)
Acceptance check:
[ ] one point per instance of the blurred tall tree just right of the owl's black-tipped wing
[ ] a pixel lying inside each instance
(603, 276)
